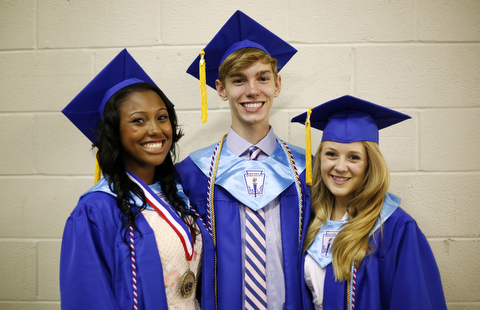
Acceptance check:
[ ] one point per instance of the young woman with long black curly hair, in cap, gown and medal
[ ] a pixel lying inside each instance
(132, 242)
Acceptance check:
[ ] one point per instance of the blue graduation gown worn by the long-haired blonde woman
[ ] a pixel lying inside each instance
(400, 274)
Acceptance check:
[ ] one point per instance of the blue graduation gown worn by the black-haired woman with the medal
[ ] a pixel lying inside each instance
(95, 263)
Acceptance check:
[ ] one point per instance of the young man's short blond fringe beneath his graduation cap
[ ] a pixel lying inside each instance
(244, 58)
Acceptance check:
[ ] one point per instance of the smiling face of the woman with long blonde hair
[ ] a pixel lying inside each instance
(343, 168)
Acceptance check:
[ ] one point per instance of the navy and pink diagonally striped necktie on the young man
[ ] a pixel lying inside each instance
(255, 254)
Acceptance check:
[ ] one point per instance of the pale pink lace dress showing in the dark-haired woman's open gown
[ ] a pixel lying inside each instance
(174, 261)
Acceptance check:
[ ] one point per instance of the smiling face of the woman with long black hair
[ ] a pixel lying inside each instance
(146, 133)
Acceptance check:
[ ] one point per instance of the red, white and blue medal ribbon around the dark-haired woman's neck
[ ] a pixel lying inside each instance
(165, 212)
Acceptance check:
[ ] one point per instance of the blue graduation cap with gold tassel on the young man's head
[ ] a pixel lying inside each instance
(240, 31)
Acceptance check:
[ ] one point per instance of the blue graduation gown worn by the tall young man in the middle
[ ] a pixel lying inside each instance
(228, 232)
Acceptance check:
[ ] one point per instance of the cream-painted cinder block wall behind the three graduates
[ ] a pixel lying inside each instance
(421, 57)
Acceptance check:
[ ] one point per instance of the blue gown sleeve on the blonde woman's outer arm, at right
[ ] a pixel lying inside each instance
(415, 281)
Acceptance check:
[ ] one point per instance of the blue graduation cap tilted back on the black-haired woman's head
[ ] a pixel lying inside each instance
(86, 109)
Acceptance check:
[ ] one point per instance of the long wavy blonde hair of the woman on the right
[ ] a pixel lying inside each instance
(351, 243)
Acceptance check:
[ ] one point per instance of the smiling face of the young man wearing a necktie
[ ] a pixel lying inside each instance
(250, 93)
